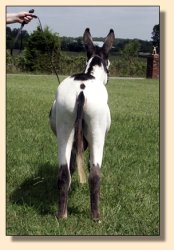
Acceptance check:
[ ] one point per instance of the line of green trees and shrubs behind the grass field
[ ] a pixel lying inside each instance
(38, 51)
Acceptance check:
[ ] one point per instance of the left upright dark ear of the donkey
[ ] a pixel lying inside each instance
(87, 40)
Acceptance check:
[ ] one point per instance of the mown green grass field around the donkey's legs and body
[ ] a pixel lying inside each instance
(130, 170)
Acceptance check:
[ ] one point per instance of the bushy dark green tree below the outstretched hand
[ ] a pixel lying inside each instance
(42, 51)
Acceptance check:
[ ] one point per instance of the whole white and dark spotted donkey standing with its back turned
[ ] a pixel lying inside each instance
(80, 118)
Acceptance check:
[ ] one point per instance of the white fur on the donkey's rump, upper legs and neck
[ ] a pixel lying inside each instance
(96, 115)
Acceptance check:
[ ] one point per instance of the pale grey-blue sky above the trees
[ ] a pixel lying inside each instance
(127, 21)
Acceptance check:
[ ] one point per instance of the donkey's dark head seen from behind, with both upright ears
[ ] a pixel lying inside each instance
(93, 50)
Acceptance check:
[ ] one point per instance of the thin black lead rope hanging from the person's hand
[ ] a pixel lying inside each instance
(47, 47)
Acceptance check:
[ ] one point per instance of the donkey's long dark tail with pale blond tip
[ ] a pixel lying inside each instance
(78, 137)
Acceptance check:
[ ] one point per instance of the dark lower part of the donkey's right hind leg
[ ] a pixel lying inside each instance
(94, 186)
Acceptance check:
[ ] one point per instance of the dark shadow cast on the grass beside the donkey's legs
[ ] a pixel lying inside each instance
(40, 192)
